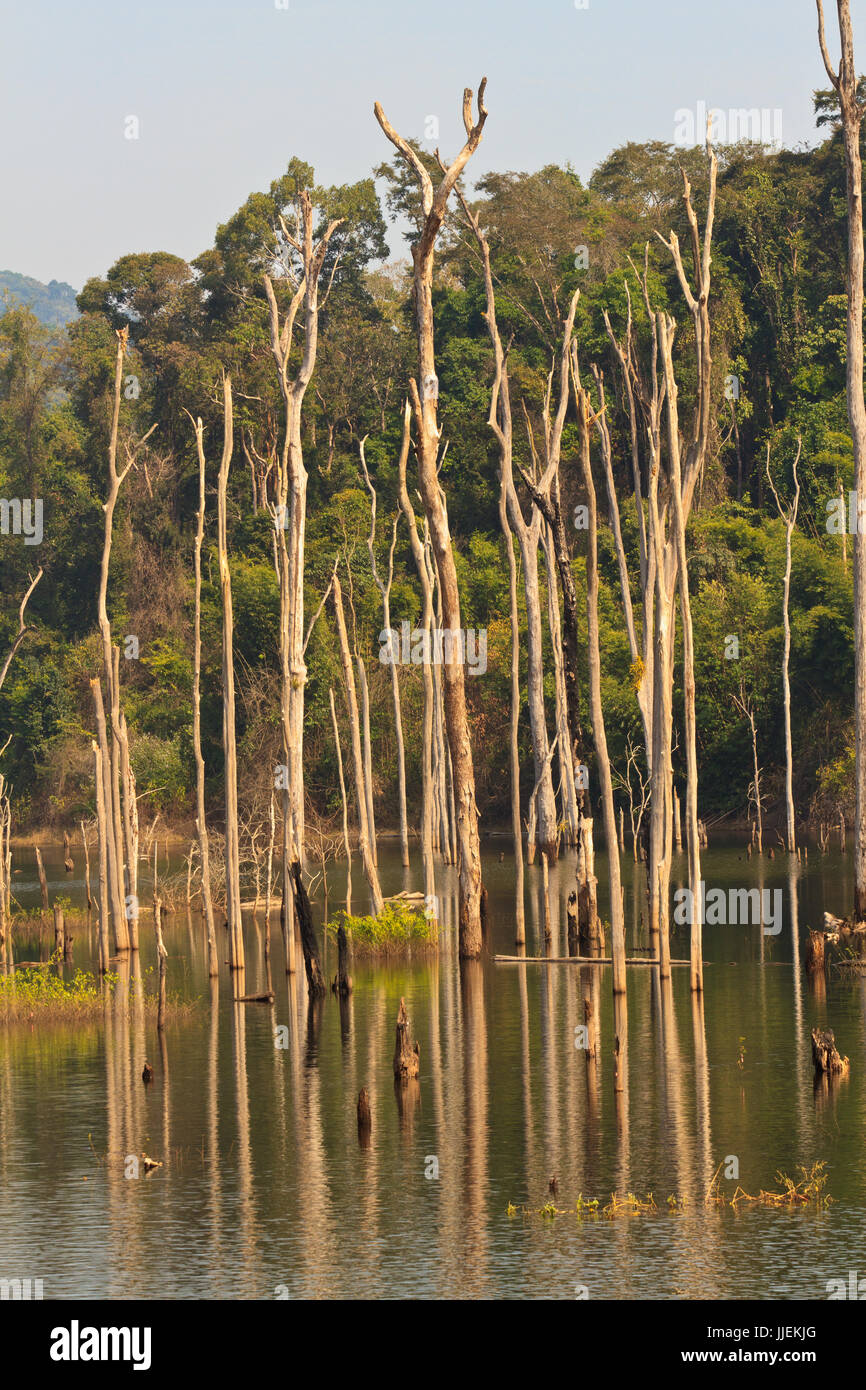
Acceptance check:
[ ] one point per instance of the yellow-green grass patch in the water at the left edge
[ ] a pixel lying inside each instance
(40, 996)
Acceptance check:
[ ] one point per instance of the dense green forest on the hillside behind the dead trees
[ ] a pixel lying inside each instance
(778, 312)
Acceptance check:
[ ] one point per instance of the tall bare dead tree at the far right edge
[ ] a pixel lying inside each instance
(853, 111)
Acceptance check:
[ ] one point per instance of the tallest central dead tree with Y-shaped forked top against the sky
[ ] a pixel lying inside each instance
(425, 400)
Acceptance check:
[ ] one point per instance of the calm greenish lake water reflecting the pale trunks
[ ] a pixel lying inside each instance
(266, 1188)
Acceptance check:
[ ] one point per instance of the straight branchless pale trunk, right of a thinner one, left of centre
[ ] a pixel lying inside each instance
(233, 849)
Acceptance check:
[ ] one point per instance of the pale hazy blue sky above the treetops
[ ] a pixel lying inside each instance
(227, 91)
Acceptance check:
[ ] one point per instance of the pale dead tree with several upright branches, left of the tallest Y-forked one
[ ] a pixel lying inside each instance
(290, 511)
